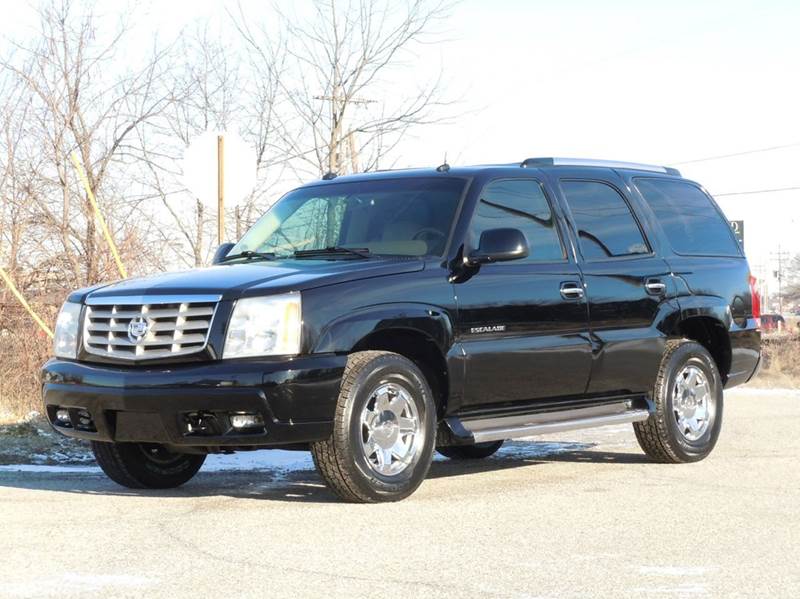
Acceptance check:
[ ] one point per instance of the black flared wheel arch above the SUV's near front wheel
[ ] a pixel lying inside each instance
(344, 333)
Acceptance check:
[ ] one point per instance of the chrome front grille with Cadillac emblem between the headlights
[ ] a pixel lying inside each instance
(161, 328)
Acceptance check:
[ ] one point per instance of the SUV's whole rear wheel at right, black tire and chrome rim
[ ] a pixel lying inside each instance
(688, 406)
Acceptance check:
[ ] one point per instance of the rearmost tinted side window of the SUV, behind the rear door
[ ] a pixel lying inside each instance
(689, 219)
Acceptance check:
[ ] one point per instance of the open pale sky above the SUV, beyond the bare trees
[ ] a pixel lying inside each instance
(661, 82)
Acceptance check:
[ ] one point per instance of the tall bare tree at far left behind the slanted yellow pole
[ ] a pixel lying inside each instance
(81, 101)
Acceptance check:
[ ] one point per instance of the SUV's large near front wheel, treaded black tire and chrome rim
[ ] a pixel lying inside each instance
(383, 435)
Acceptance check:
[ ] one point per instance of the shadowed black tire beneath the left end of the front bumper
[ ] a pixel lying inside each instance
(145, 465)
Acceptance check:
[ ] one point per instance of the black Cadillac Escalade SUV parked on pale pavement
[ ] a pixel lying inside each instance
(375, 318)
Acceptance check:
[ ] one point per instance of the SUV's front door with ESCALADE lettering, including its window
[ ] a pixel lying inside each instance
(523, 324)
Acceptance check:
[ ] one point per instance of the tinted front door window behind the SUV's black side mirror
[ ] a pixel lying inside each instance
(519, 204)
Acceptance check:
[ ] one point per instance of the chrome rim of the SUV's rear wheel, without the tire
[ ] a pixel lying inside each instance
(692, 403)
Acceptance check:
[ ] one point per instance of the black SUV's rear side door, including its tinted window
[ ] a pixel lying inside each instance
(629, 287)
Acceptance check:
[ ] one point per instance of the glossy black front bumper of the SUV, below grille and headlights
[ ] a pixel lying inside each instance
(296, 400)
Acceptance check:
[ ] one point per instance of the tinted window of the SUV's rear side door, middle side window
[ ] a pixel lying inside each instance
(606, 226)
